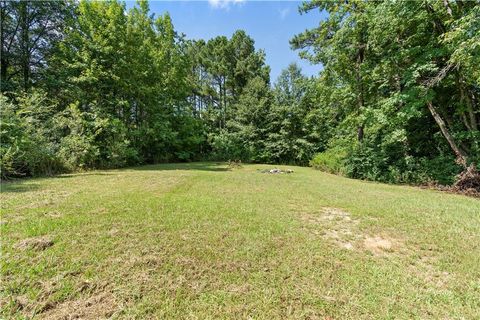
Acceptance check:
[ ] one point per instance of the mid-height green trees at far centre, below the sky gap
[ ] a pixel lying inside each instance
(270, 126)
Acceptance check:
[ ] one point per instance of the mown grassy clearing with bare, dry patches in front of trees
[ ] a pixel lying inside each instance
(198, 241)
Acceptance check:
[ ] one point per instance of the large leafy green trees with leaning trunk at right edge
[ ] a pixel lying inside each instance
(399, 85)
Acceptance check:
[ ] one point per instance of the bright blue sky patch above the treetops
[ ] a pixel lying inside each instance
(270, 23)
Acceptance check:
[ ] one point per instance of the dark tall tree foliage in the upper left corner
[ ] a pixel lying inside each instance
(30, 31)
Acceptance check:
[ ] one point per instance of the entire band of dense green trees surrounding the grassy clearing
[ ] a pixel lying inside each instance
(96, 85)
